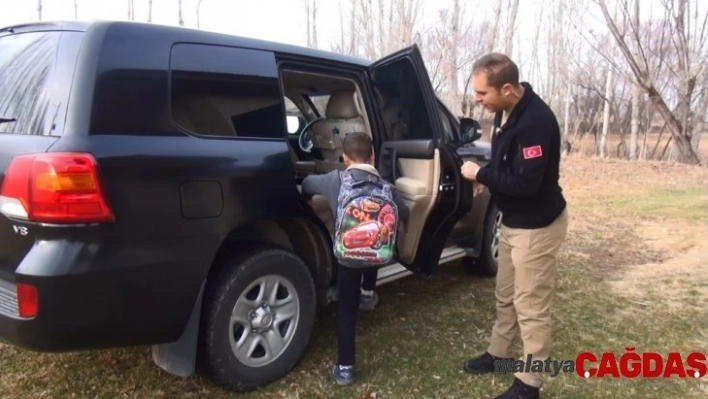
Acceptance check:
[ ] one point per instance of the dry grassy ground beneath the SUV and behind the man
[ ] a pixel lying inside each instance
(633, 273)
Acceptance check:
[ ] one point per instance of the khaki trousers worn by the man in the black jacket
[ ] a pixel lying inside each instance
(528, 264)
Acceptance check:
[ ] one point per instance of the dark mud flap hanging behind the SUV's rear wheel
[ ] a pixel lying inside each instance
(179, 357)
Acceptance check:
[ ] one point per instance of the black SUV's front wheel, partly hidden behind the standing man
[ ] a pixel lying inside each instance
(486, 264)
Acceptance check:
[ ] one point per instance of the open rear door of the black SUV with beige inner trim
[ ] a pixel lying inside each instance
(413, 154)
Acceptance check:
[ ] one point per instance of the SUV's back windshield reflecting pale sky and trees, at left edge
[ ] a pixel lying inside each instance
(36, 70)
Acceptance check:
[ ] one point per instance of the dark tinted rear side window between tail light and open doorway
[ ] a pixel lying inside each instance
(226, 91)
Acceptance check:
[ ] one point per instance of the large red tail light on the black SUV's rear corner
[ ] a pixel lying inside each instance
(54, 188)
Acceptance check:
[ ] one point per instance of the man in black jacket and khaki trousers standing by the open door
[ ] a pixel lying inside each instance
(522, 178)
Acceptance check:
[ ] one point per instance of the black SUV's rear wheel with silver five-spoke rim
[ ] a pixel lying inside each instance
(257, 318)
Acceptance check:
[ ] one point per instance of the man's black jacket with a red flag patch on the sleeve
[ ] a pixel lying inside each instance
(524, 171)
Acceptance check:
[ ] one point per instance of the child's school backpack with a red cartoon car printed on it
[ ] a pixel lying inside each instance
(367, 222)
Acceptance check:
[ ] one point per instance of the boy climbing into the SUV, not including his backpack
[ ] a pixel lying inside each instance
(359, 159)
